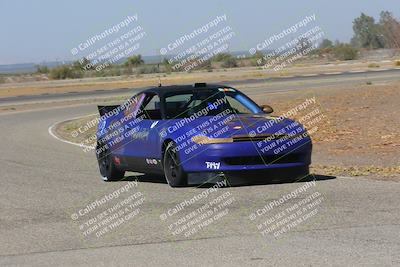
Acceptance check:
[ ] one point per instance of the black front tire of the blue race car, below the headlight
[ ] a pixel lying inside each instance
(174, 174)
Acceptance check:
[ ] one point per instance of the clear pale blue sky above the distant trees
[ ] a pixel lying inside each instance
(46, 30)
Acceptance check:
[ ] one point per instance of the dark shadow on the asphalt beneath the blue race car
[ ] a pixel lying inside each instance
(233, 181)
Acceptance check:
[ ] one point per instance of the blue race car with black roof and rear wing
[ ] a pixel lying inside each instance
(197, 129)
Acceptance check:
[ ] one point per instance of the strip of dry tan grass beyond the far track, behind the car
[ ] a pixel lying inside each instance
(110, 83)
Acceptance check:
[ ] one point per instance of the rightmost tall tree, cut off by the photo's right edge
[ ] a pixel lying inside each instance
(390, 29)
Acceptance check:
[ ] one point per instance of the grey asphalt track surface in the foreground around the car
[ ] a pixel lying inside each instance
(45, 182)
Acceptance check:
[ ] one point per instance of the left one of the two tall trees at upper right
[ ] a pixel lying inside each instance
(366, 33)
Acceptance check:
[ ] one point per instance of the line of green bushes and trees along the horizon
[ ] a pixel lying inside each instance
(367, 34)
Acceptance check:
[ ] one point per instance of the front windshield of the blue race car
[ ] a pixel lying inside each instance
(208, 102)
